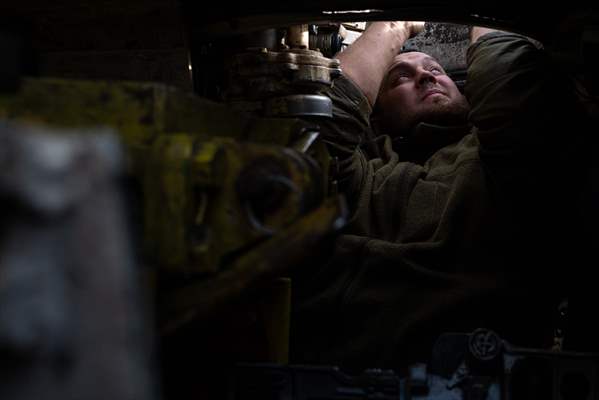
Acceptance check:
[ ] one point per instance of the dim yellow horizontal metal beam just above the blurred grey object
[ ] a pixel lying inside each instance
(137, 111)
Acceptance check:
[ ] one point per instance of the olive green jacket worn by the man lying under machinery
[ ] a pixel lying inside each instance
(465, 240)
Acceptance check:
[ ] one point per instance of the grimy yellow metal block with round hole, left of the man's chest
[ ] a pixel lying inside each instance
(206, 199)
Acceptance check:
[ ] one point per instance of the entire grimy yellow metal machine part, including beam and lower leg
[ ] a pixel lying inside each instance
(228, 200)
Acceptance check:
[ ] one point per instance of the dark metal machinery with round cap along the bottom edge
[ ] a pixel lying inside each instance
(479, 365)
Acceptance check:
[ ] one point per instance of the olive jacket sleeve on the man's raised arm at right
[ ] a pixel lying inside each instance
(521, 105)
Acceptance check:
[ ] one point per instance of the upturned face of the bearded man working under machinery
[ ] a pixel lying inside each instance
(417, 89)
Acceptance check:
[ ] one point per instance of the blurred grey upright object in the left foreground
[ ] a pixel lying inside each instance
(71, 321)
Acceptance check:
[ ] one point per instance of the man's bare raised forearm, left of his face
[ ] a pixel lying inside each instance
(367, 60)
